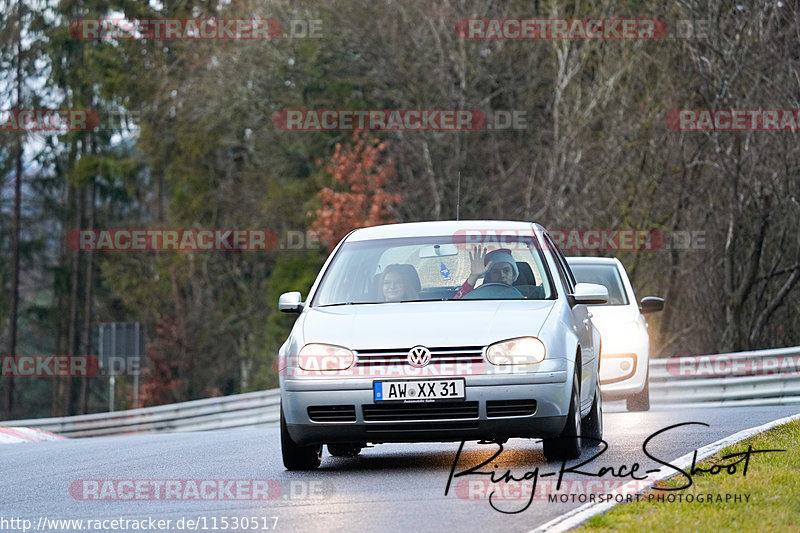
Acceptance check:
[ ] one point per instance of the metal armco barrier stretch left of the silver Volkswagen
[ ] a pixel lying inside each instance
(253, 409)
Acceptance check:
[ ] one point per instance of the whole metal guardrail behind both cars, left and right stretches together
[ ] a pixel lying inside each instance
(777, 384)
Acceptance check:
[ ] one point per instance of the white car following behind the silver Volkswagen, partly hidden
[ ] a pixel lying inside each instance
(625, 343)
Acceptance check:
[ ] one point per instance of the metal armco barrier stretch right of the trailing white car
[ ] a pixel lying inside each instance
(764, 377)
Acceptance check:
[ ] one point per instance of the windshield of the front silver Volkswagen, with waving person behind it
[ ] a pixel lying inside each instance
(431, 268)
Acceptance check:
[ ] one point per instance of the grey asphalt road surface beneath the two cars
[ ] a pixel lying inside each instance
(390, 487)
